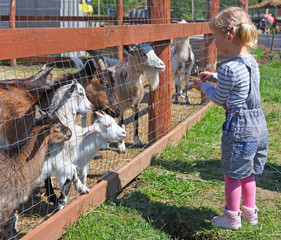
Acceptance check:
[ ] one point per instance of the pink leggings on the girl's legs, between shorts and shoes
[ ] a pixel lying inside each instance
(233, 189)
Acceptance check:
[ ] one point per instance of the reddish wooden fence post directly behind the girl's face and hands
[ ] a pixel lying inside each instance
(210, 51)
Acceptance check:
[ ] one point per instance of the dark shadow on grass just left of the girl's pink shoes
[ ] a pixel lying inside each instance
(178, 222)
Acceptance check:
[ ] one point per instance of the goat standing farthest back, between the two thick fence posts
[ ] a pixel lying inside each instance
(182, 63)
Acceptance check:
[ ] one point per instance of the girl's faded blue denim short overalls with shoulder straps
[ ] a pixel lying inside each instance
(245, 136)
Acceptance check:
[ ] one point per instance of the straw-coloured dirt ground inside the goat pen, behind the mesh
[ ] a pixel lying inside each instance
(37, 209)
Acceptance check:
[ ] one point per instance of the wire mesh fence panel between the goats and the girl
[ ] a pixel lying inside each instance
(102, 98)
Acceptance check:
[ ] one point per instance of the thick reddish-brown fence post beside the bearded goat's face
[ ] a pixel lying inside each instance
(160, 100)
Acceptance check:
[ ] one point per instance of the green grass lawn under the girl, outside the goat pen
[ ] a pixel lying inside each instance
(176, 197)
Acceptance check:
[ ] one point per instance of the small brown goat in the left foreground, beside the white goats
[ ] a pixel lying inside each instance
(21, 165)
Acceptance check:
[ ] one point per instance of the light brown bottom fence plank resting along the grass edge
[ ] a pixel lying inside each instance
(54, 227)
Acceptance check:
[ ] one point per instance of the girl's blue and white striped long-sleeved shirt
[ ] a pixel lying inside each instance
(233, 83)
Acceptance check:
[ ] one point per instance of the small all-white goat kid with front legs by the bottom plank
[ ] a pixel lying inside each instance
(81, 149)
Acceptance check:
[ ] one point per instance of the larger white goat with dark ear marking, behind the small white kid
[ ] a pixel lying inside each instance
(69, 100)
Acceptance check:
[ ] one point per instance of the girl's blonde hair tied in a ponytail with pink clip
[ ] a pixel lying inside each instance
(241, 26)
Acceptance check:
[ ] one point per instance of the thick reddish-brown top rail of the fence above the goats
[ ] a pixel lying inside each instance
(17, 43)
